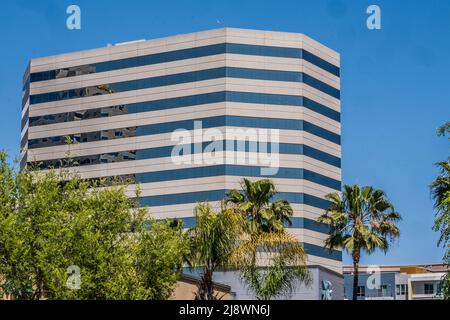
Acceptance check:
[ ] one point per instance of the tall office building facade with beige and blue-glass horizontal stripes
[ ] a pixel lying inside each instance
(121, 104)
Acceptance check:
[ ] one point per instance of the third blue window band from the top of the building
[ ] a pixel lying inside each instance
(187, 101)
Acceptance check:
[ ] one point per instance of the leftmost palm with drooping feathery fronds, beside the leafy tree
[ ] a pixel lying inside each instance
(212, 241)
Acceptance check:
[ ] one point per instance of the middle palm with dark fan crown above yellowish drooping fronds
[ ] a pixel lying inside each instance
(270, 259)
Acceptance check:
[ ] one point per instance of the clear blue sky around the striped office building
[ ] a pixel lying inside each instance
(395, 81)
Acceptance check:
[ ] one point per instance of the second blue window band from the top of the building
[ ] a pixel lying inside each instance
(186, 77)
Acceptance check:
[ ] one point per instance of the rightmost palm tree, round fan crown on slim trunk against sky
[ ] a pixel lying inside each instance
(361, 221)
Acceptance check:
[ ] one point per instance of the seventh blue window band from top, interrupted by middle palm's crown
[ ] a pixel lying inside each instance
(218, 195)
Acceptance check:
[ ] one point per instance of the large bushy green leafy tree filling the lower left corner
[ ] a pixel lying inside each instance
(53, 222)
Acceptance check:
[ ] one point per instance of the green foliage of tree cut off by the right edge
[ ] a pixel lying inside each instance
(440, 189)
